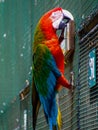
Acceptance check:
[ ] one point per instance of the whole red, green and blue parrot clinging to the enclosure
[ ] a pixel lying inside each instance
(48, 65)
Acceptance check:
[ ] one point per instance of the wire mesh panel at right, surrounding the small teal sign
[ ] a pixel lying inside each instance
(88, 100)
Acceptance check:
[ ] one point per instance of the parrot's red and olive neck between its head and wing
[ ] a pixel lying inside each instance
(46, 35)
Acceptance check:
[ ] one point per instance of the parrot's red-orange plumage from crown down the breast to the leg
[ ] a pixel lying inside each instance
(53, 43)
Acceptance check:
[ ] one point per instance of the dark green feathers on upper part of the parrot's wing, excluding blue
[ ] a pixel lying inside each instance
(40, 68)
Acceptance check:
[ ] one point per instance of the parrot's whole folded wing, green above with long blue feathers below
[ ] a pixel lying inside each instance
(45, 76)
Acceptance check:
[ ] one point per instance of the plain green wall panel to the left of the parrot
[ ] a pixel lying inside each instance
(15, 48)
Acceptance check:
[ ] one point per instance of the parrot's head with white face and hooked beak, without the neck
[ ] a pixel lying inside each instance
(56, 19)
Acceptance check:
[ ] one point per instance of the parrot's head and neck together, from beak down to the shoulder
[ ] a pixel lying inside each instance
(49, 23)
